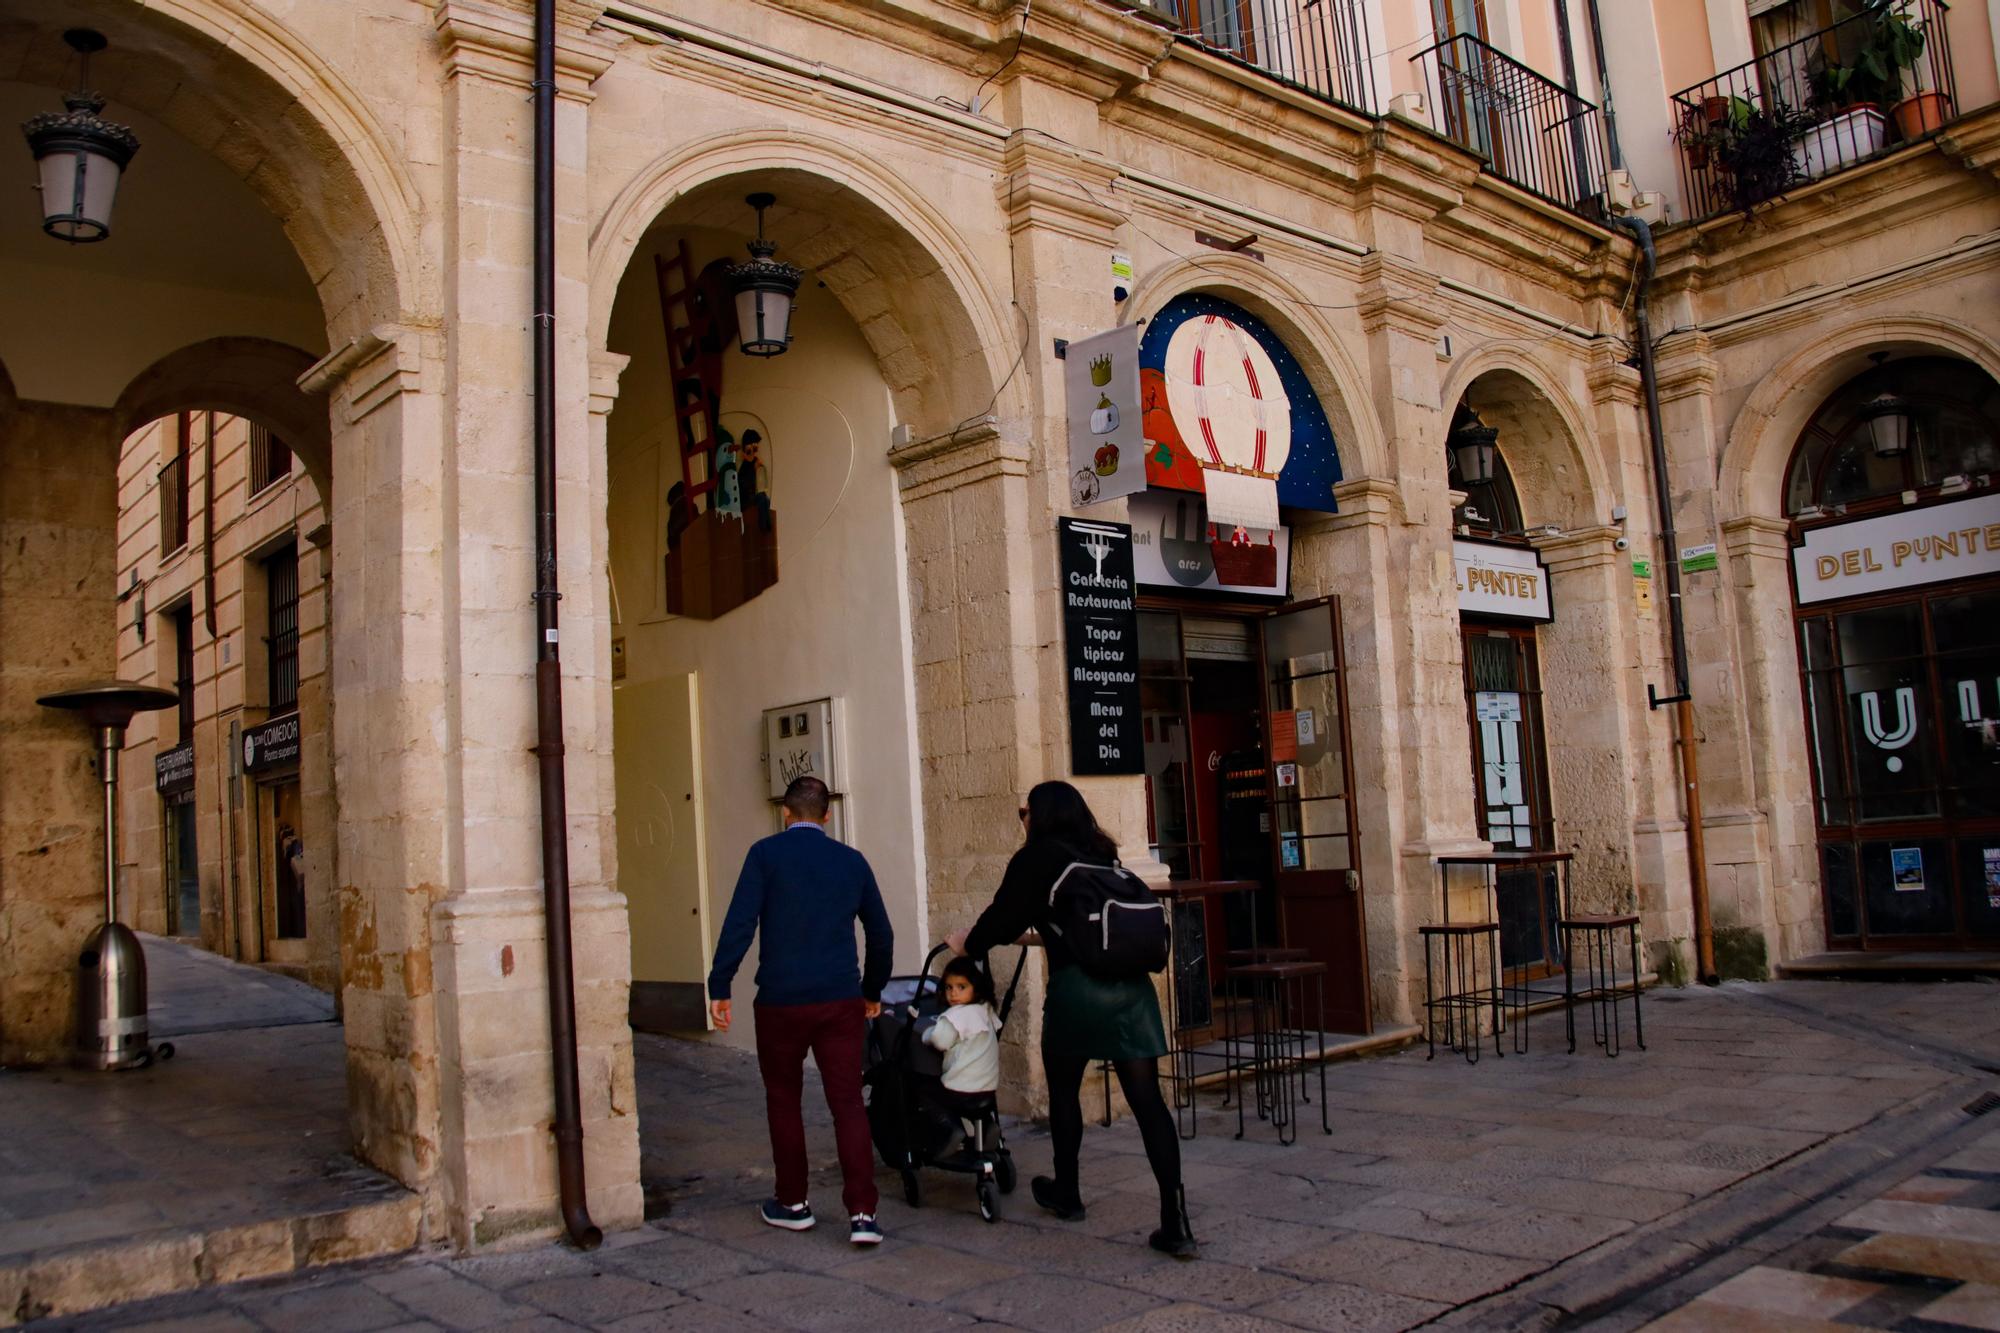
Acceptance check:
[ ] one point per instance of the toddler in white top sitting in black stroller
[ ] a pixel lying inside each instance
(915, 1112)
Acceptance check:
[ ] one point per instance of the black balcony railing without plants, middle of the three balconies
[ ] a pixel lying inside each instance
(1531, 129)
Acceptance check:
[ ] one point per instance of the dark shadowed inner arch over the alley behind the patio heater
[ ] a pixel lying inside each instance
(243, 377)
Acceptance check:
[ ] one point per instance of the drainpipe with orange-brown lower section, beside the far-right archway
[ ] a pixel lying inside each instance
(1683, 700)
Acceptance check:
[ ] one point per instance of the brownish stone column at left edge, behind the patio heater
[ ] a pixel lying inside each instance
(59, 547)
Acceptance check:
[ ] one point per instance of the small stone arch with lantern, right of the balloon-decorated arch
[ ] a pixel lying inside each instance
(1543, 435)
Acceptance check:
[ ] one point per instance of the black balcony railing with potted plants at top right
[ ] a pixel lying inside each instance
(1813, 107)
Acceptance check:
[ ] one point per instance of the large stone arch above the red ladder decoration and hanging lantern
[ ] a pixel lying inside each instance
(853, 225)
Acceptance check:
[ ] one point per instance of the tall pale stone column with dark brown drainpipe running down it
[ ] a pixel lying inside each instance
(499, 1168)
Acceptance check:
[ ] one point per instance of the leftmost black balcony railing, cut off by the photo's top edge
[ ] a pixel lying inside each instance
(1319, 47)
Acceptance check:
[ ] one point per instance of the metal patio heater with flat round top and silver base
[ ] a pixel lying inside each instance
(111, 972)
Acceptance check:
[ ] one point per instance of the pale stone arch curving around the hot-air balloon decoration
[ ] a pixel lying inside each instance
(1313, 341)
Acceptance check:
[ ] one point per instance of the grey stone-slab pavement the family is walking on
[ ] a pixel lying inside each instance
(1769, 1142)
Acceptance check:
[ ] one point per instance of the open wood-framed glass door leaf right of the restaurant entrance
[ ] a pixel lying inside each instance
(1317, 864)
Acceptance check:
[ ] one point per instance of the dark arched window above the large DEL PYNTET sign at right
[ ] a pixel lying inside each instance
(1847, 455)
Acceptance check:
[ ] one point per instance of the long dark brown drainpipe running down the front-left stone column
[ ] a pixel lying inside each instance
(549, 655)
